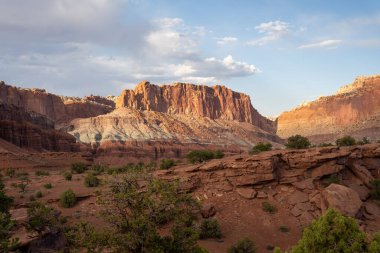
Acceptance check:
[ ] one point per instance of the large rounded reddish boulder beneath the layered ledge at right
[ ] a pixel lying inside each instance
(341, 198)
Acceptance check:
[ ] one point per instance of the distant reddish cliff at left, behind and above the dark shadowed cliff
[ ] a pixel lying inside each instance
(59, 109)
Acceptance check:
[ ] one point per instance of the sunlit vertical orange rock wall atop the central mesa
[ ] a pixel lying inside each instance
(217, 102)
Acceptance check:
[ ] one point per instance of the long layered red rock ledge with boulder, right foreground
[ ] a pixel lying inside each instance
(290, 178)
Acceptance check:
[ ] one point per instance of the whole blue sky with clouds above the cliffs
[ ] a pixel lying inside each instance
(280, 52)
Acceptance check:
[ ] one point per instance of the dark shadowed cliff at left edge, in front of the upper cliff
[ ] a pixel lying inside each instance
(32, 130)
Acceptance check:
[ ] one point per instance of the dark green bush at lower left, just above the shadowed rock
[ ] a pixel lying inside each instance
(40, 218)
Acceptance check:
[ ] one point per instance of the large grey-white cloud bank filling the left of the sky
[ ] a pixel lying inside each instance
(81, 47)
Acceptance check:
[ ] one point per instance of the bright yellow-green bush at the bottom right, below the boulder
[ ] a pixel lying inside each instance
(332, 232)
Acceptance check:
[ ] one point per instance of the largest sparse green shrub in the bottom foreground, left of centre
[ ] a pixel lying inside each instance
(137, 230)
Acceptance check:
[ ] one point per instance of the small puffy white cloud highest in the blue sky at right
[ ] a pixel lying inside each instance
(273, 31)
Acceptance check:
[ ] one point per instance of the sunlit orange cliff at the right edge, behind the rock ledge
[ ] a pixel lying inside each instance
(354, 110)
